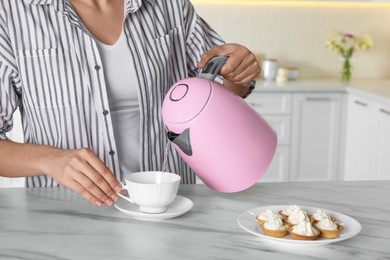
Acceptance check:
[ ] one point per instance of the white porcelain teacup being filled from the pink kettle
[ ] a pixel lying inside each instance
(152, 191)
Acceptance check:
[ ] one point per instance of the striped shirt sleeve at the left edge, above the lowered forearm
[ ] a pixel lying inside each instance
(9, 81)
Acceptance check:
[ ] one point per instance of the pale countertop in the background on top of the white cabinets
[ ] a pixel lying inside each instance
(377, 89)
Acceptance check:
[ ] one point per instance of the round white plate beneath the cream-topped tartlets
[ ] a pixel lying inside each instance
(247, 221)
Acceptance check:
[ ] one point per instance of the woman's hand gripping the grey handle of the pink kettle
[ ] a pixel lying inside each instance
(241, 66)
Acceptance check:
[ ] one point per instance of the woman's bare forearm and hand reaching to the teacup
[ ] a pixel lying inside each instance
(80, 170)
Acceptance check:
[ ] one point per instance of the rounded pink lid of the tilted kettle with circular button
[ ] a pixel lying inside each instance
(186, 99)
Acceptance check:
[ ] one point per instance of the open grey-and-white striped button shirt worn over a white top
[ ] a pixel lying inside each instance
(51, 69)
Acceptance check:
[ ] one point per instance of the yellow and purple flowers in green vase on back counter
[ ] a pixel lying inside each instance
(345, 44)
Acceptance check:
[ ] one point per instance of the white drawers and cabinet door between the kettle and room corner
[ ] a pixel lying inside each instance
(308, 126)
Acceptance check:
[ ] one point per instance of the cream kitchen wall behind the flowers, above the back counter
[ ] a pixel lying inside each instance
(295, 34)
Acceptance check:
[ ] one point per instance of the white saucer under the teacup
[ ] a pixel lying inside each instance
(178, 207)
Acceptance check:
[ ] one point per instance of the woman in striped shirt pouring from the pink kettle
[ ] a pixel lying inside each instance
(89, 77)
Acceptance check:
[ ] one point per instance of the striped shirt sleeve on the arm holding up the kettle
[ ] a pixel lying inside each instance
(200, 38)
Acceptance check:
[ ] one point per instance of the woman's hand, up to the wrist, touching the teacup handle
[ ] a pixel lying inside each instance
(83, 172)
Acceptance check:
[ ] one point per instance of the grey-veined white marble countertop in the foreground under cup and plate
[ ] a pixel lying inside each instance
(54, 223)
